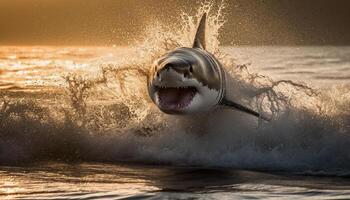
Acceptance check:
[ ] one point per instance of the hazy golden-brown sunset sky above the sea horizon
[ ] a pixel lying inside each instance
(118, 22)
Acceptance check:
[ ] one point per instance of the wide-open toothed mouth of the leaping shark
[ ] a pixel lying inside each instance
(175, 98)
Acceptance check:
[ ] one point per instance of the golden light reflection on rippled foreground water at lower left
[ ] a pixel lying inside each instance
(83, 179)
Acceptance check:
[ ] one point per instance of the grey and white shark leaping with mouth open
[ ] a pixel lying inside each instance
(191, 80)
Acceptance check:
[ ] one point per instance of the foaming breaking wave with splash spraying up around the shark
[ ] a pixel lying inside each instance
(109, 118)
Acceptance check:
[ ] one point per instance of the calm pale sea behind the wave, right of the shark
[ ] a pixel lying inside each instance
(317, 66)
